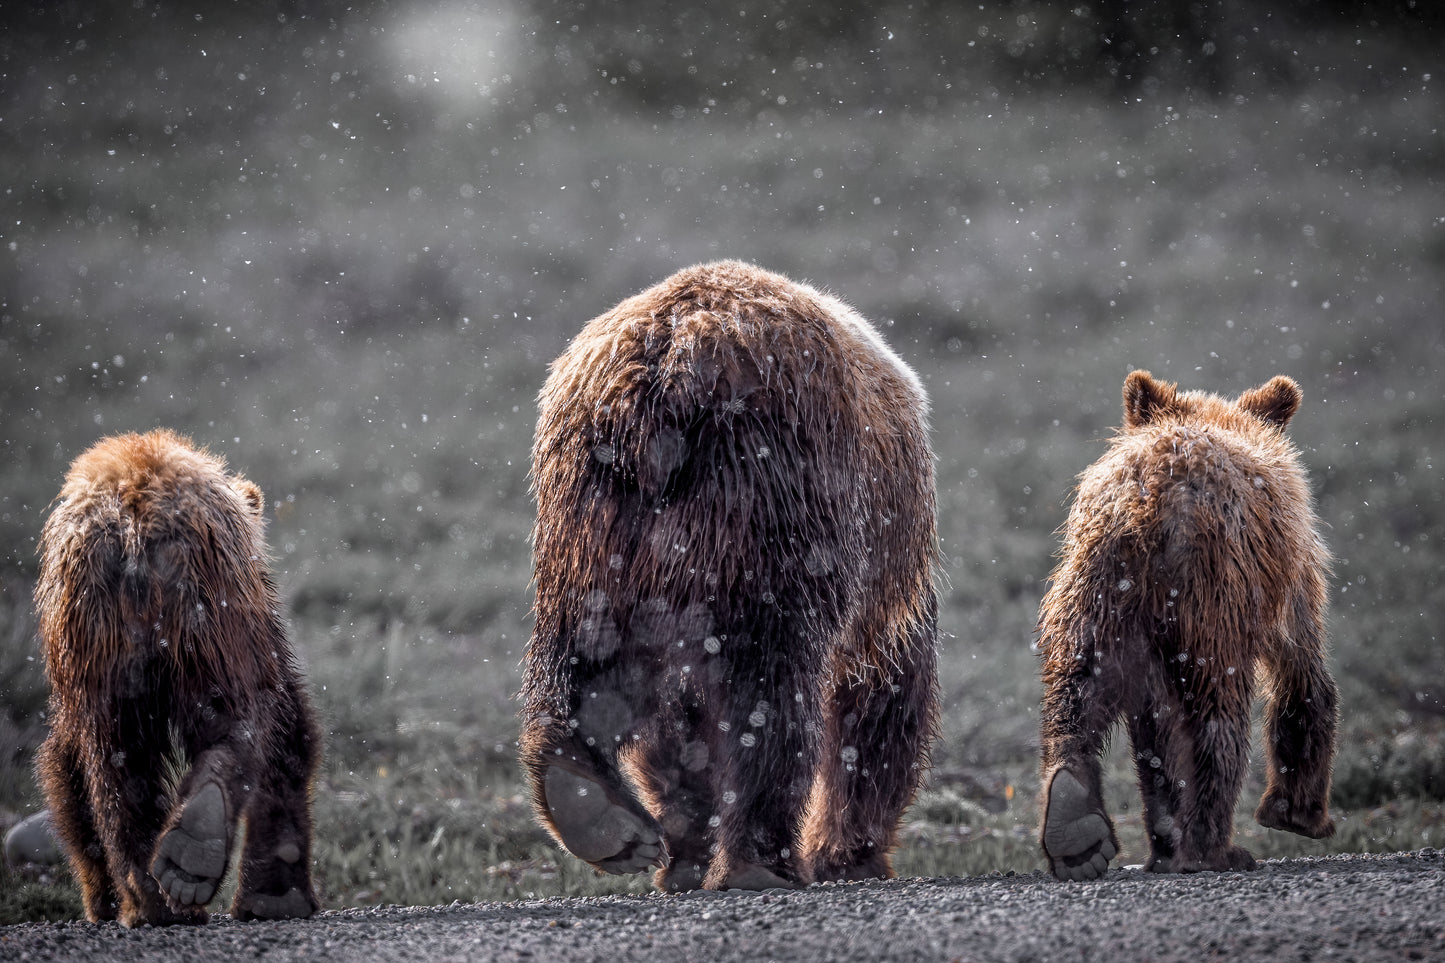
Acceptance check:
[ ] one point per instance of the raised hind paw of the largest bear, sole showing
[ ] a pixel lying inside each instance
(599, 832)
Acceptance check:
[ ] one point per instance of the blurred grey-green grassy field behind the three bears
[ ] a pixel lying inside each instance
(339, 245)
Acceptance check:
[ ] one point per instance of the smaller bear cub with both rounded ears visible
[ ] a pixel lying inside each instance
(1191, 557)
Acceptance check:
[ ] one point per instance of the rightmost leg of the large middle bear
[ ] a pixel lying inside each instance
(874, 758)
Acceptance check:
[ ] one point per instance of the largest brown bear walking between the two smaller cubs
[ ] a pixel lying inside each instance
(733, 675)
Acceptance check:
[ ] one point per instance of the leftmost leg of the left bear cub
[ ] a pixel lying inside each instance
(63, 780)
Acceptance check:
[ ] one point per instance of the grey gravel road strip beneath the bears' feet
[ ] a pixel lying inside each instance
(1340, 907)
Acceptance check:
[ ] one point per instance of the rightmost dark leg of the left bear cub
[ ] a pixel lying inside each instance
(275, 874)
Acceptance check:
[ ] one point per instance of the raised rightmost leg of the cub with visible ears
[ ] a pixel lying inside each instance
(1300, 737)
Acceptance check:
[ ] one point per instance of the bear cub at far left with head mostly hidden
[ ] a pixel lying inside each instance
(163, 637)
